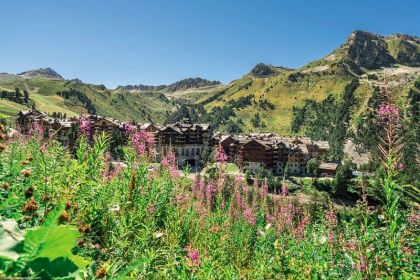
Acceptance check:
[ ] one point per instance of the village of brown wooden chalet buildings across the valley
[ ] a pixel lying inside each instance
(191, 142)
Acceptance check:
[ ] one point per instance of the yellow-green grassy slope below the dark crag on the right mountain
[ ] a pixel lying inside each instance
(320, 78)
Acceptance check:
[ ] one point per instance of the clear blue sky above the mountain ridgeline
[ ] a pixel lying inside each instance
(157, 42)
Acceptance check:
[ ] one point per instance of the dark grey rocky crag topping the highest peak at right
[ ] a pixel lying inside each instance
(367, 50)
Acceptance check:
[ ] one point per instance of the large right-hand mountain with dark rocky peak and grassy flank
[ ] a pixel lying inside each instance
(276, 92)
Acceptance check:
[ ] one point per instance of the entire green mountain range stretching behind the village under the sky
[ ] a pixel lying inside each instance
(264, 99)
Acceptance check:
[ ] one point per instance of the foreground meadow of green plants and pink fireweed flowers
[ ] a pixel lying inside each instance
(84, 216)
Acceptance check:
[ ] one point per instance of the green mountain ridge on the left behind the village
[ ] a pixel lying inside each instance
(51, 94)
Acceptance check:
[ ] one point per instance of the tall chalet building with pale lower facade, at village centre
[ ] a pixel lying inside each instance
(186, 139)
